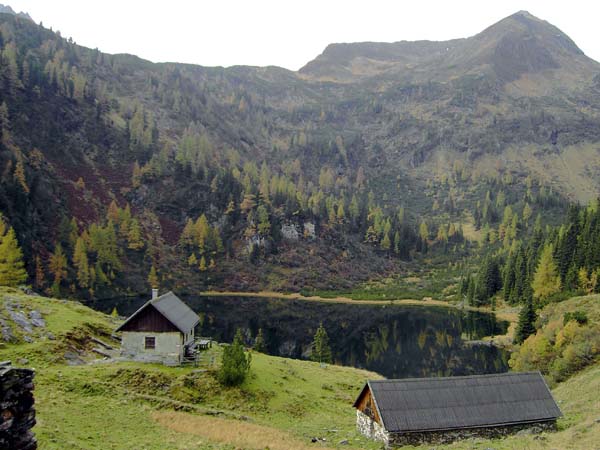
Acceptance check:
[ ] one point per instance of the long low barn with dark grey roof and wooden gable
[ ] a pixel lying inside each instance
(440, 410)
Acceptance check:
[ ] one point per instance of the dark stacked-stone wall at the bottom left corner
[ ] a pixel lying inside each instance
(17, 414)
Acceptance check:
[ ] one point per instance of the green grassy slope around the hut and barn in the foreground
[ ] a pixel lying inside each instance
(284, 403)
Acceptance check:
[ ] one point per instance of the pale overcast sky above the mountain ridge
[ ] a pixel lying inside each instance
(287, 33)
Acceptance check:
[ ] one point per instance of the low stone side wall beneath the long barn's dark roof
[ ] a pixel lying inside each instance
(448, 436)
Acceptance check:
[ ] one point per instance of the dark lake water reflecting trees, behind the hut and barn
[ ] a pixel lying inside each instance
(395, 341)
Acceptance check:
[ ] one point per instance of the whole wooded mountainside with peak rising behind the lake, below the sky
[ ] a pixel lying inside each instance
(318, 183)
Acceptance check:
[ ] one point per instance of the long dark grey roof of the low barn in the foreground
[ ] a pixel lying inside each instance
(429, 404)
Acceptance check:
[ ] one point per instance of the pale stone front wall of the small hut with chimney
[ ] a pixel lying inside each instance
(168, 347)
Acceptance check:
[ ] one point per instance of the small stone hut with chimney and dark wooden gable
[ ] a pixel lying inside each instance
(162, 330)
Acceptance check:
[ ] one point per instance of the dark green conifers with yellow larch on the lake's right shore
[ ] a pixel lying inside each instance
(548, 264)
